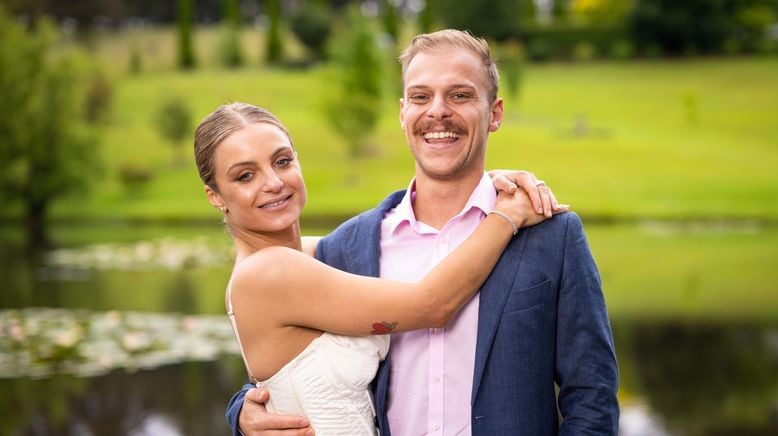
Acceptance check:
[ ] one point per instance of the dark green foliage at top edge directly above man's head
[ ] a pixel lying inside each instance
(492, 19)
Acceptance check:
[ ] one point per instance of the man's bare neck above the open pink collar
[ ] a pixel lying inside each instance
(437, 201)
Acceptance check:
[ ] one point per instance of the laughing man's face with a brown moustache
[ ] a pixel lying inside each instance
(446, 113)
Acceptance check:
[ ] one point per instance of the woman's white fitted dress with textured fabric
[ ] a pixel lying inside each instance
(329, 383)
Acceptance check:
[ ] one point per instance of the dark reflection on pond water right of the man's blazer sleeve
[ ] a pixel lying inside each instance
(703, 379)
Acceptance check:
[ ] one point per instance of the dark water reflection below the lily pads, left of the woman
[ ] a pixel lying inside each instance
(183, 399)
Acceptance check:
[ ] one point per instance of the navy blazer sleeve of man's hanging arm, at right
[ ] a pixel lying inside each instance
(586, 370)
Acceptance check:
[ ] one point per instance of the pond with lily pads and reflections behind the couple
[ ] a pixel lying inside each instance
(128, 337)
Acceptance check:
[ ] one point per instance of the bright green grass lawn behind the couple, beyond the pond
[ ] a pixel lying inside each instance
(660, 139)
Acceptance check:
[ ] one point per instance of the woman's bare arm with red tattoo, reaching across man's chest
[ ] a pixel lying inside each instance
(285, 287)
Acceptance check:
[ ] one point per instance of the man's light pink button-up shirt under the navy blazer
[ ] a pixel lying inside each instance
(431, 379)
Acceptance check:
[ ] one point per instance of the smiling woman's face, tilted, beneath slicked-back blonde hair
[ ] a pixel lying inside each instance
(259, 180)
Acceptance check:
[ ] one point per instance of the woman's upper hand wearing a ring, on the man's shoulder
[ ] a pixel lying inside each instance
(543, 200)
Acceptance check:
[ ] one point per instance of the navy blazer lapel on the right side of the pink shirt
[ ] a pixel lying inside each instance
(494, 293)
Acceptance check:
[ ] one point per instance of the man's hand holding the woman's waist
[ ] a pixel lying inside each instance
(255, 420)
